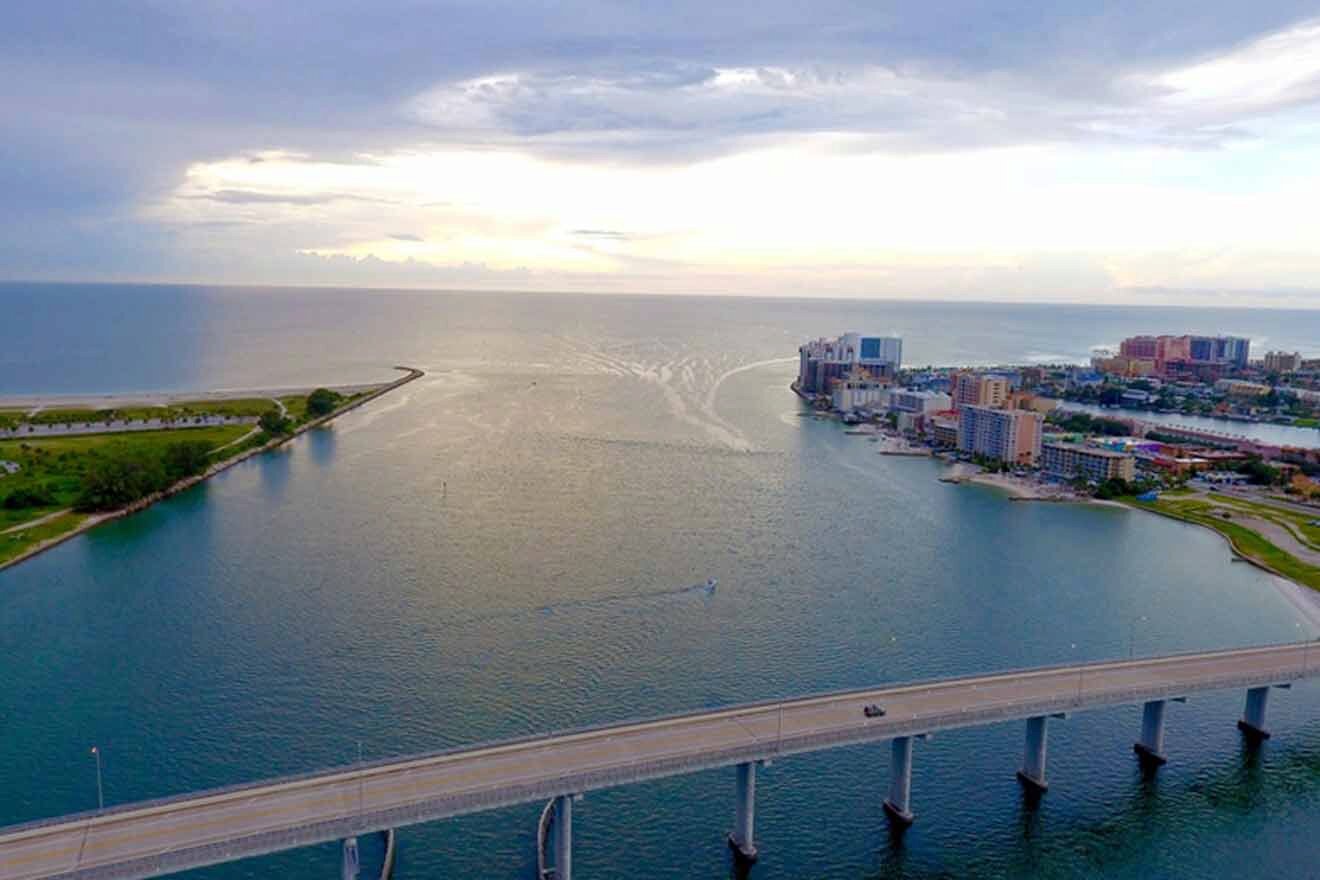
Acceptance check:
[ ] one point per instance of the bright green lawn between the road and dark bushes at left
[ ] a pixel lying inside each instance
(57, 464)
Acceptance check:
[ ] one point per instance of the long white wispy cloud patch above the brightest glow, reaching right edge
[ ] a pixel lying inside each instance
(686, 110)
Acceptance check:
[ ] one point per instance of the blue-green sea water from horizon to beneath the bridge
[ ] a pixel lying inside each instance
(419, 576)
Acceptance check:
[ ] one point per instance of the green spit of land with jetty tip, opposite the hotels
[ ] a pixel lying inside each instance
(69, 464)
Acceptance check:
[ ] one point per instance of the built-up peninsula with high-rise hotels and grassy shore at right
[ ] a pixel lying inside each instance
(1022, 429)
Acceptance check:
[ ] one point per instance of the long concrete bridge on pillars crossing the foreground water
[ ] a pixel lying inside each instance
(207, 828)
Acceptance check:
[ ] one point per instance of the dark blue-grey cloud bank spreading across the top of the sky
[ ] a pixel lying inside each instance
(105, 104)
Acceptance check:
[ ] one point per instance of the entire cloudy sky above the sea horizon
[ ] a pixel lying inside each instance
(1121, 152)
